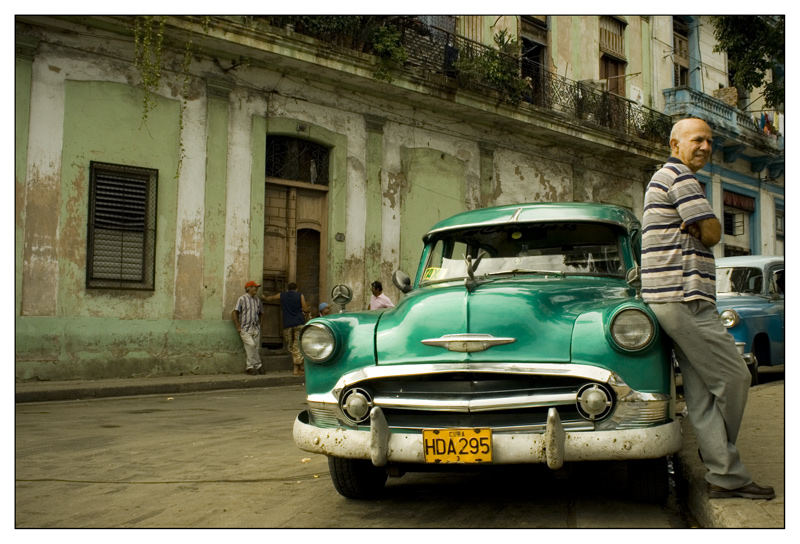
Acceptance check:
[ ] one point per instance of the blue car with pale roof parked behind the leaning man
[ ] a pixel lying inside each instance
(750, 301)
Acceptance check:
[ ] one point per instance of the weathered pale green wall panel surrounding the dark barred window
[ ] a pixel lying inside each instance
(103, 122)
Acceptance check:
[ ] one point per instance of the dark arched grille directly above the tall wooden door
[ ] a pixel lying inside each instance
(297, 160)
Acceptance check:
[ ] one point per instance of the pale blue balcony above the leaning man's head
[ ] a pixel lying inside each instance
(731, 125)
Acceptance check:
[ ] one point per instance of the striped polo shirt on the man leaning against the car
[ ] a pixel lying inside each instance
(676, 266)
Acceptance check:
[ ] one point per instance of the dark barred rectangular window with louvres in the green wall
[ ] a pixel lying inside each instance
(122, 226)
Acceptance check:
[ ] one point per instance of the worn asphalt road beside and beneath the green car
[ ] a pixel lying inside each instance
(226, 459)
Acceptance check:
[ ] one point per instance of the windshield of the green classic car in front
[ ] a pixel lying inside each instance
(535, 248)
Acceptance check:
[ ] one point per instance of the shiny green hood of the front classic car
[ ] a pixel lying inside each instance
(538, 314)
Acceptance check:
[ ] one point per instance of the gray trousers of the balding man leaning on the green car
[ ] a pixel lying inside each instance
(715, 385)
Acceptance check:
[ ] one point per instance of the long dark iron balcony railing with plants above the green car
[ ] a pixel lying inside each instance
(436, 51)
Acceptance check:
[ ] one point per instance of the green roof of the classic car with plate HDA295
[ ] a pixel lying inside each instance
(538, 212)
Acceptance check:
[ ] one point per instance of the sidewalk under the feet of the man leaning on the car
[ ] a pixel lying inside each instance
(761, 447)
